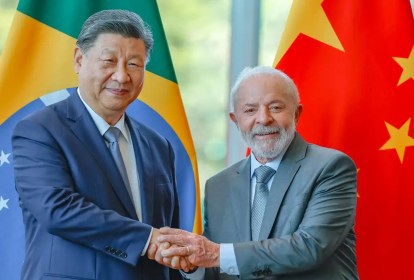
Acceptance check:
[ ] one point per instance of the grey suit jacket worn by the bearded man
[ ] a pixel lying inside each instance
(307, 230)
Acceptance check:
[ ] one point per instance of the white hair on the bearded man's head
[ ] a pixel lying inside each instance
(249, 72)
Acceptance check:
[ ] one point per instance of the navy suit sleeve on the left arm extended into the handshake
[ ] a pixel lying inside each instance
(51, 199)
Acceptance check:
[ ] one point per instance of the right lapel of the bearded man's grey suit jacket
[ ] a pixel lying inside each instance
(288, 167)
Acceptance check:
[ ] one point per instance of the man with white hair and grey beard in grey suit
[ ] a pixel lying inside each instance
(285, 212)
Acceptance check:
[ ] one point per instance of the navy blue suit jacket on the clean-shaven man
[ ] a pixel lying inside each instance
(79, 220)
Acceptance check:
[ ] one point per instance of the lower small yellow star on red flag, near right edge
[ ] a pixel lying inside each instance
(399, 139)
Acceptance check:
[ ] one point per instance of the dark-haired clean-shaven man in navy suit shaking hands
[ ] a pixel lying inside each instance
(94, 184)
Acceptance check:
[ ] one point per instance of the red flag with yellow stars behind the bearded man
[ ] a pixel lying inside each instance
(353, 63)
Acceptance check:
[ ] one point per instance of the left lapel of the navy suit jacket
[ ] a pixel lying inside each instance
(87, 133)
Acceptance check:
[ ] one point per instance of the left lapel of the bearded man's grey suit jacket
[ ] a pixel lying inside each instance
(240, 200)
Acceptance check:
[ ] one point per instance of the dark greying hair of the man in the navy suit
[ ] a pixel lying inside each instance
(122, 22)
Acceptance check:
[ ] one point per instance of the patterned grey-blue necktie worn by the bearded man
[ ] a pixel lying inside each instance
(263, 175)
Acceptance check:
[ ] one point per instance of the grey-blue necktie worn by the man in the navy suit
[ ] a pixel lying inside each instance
(112, 136)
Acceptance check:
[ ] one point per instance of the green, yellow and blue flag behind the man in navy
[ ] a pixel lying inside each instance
(36, 69)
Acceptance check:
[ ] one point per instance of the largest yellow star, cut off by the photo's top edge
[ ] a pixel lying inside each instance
(301, 14)
